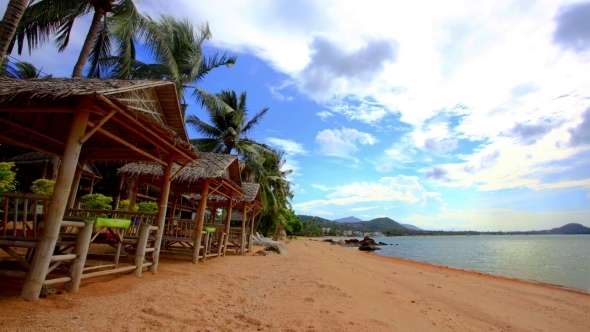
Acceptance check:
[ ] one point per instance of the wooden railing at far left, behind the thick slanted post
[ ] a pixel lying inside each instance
(22, 215)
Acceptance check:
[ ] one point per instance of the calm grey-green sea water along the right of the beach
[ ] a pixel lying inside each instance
(562, 260)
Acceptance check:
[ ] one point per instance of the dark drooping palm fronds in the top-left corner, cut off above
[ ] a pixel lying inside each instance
(112, 19)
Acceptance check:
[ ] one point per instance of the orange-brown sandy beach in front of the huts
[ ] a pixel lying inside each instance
(316, 287)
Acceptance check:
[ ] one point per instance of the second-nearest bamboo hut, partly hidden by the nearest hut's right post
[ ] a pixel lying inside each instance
(212, 174)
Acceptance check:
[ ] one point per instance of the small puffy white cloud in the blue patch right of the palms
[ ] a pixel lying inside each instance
(342, 143)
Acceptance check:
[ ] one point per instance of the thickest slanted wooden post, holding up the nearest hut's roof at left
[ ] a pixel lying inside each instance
(41, 259)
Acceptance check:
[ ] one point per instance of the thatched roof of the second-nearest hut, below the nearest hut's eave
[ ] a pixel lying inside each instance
(208, 166)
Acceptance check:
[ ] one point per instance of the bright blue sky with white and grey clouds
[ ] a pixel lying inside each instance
(444, 115)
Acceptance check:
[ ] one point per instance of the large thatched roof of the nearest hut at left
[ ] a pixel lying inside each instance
(37, 113)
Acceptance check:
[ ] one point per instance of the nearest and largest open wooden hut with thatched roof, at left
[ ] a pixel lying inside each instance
(83, 120)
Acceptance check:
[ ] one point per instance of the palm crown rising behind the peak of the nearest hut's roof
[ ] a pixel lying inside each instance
(176, 47)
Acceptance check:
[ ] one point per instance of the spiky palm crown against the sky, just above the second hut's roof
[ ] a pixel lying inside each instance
(228, 114)
